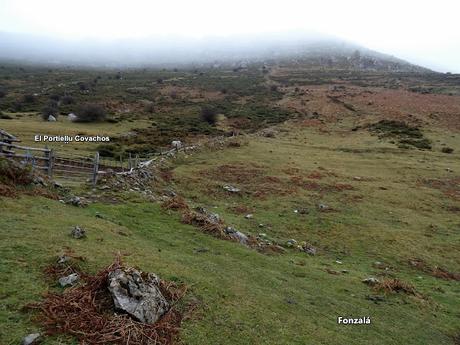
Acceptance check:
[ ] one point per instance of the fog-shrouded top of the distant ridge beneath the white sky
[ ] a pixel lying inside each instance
(314, 51)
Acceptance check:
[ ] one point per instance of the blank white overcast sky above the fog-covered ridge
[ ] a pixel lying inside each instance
(422, 32)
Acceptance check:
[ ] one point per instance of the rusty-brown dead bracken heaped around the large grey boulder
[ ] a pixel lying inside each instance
(87, 312)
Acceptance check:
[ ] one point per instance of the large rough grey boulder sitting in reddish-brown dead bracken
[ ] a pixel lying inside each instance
(137, 294)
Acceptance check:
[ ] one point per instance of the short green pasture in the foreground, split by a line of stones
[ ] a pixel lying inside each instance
(384, 206)
